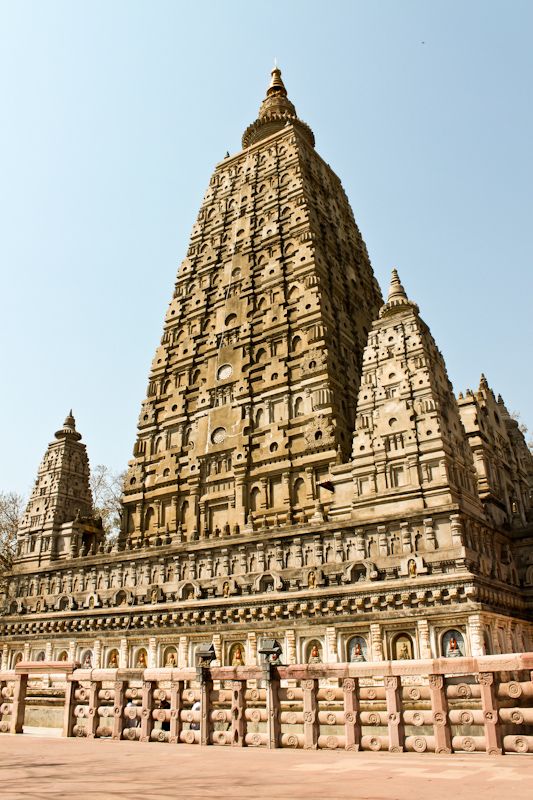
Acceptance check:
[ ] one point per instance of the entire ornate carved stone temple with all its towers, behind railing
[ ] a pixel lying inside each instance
(302, 469)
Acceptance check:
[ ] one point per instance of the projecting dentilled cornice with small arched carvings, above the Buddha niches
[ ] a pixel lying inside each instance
(274, 608)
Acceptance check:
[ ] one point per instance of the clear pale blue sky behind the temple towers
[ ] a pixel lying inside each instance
(113, 115)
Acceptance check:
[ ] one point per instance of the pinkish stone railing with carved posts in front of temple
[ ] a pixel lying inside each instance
(443, 705)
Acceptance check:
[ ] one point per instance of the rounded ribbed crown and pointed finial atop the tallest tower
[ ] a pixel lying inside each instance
(275, 112)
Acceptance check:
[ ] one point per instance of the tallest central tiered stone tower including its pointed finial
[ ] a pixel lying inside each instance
(251, 395)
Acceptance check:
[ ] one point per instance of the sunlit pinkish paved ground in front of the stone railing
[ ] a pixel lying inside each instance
(39, 768)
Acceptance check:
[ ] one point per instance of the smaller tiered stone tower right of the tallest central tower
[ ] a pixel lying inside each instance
(410, 448)
